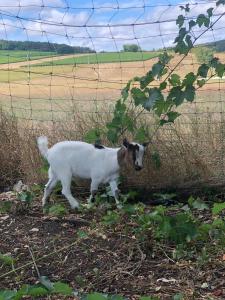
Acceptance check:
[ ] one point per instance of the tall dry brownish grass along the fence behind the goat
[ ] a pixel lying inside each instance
(192, 151)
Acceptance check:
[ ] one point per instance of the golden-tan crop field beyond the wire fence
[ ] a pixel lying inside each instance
(49, 92)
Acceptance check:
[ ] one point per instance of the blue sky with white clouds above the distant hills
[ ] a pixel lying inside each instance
(102, 25)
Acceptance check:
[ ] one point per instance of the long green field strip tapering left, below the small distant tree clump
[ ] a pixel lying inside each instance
(109, 57)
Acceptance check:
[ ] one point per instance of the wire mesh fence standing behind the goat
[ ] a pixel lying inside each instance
(63, 65)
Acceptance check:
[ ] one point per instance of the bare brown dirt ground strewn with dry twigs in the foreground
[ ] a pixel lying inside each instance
(78, 250)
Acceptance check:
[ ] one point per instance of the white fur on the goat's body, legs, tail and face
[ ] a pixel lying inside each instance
(83, 160)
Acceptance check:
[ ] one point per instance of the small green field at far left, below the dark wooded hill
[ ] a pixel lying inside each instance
(11, 56)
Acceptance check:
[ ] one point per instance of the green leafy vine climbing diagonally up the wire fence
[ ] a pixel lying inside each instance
(172, 91)
